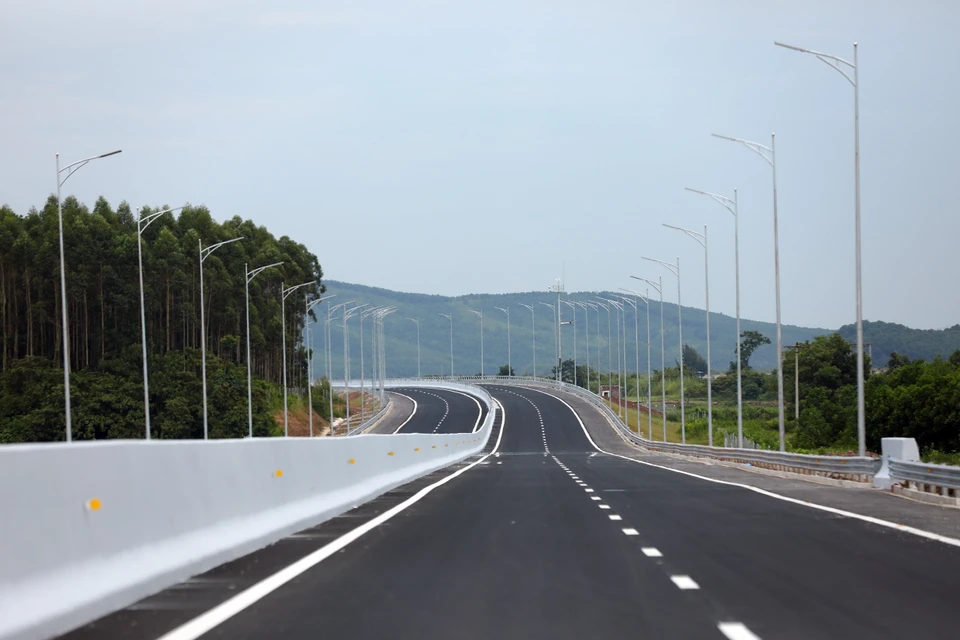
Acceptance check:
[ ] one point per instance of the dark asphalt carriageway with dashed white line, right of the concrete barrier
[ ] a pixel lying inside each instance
(545, 536)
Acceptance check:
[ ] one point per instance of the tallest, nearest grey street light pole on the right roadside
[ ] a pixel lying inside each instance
(843, 67)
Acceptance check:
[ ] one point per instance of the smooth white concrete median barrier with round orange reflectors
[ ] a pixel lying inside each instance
(90, 527)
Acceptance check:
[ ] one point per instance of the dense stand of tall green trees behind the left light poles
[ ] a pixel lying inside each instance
(104, 320)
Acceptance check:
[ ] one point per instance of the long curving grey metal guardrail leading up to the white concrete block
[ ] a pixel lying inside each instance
(837, 467)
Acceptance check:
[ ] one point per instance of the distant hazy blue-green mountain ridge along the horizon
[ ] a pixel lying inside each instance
(401, 333)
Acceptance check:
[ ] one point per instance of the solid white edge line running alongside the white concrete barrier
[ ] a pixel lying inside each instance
(226, 610)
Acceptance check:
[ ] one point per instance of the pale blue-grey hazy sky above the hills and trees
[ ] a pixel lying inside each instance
(455, 147)
